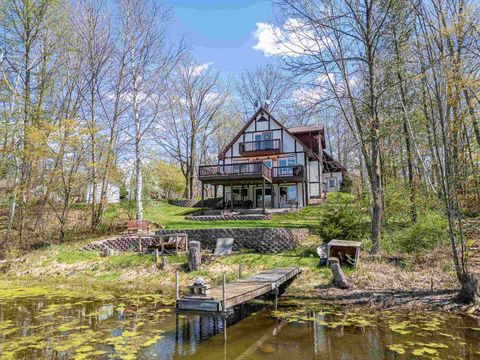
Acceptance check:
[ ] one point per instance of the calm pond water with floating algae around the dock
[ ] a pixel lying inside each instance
(38, 323)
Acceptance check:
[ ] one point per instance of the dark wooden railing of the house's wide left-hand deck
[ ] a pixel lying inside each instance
(255, 169)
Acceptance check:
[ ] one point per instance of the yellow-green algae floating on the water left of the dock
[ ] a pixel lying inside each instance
(75, 324)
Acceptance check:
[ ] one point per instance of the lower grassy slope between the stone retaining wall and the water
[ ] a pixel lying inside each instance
(65, 266)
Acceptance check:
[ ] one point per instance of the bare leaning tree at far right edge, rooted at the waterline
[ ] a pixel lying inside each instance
(446, 34)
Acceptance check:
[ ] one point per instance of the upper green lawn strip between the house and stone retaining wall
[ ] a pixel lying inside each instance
(173, 217)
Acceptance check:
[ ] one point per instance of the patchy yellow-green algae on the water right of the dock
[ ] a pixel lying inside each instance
(406, 332)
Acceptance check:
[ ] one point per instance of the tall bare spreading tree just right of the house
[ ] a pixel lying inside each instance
(337, 50)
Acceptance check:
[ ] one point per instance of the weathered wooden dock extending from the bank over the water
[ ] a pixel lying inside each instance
(221, 298)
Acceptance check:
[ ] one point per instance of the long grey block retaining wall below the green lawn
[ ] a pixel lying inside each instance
(260, 240)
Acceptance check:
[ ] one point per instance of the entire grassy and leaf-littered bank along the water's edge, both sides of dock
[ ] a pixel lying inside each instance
(424, 283)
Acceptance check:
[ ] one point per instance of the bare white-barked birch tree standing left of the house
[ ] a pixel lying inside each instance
(150, 59)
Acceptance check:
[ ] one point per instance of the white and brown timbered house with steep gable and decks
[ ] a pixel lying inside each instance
(267, 165)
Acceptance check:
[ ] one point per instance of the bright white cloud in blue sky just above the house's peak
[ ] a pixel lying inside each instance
(294, 38)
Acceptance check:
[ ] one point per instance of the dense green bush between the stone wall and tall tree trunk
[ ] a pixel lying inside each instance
(342, 219)
